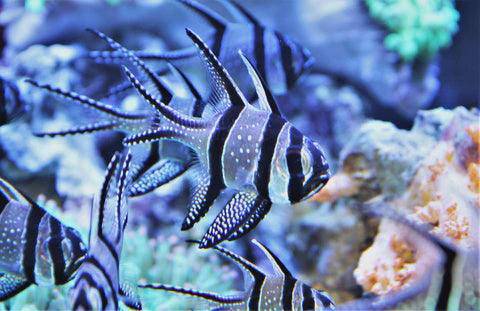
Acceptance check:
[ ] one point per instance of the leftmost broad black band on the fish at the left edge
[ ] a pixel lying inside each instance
(31, 234)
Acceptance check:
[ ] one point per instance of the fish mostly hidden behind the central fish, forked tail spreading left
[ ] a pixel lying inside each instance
(149, 171)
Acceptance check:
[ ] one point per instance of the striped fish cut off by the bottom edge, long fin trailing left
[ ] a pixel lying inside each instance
(279, 290)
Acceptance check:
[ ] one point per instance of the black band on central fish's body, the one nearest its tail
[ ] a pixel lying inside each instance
(217, 144)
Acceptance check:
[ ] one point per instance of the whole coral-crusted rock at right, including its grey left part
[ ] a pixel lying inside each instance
(443, 191)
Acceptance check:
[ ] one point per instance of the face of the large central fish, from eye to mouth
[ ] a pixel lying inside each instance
(315, 168)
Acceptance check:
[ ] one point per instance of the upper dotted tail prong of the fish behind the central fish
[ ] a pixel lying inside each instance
(88, 102)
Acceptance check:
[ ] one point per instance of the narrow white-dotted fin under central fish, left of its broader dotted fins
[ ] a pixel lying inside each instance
(203, 197)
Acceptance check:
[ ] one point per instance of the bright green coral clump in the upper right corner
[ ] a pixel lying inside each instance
(418, 28)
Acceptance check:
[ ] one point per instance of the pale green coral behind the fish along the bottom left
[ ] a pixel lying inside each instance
(160, 260)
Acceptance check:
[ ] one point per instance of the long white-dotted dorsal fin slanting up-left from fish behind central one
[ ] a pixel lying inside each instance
(163, 89)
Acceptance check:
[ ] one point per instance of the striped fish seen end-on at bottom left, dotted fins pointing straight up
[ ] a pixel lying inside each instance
(97, 284)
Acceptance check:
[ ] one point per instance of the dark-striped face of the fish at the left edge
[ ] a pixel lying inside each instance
(74, 251)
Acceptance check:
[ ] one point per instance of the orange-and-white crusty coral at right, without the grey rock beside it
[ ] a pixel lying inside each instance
(443, 194)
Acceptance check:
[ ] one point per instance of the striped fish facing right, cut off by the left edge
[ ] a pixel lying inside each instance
(35, 247)
